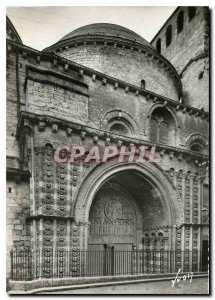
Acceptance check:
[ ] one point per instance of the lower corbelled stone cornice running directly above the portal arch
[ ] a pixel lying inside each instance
(102, 134)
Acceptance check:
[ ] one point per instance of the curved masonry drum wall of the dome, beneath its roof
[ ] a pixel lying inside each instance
(125, 64)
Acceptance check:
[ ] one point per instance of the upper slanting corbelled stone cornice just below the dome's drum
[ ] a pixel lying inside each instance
(95, 75)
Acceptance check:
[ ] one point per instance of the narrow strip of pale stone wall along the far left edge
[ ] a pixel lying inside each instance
(17, 190)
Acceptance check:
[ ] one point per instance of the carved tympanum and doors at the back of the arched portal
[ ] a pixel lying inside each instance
(112, 223)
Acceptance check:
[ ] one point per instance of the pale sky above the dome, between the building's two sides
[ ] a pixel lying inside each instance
(40, 27)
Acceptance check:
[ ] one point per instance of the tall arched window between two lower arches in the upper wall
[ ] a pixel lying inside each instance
(162, 126)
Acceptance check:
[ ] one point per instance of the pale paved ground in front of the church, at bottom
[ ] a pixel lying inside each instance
(197, 286)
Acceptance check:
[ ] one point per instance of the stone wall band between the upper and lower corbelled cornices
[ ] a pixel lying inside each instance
(97, 104)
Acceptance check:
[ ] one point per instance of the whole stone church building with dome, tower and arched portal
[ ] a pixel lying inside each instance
(104, 89)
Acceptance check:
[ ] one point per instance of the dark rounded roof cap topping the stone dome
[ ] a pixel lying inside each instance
(106, 29)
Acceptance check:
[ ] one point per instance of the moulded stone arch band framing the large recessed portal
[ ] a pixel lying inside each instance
(102, 173)
